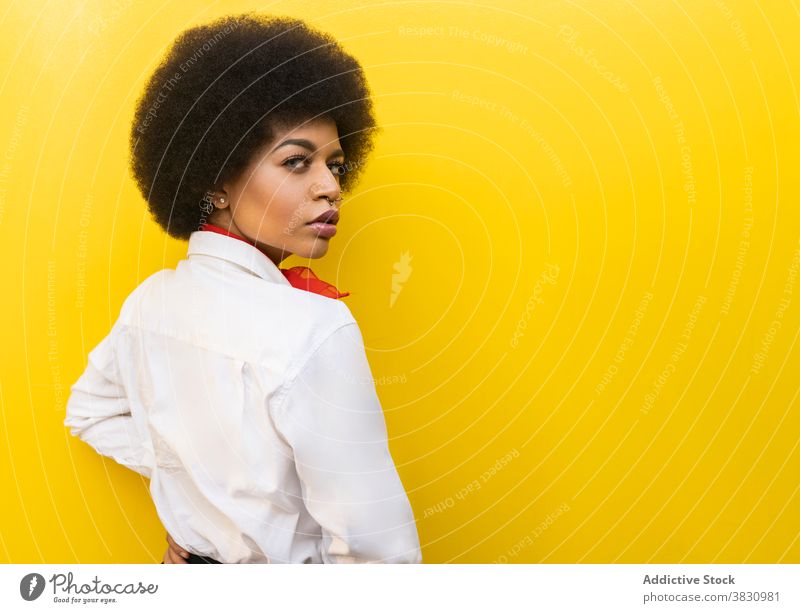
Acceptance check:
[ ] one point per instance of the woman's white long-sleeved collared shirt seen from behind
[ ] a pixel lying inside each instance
(251, 407)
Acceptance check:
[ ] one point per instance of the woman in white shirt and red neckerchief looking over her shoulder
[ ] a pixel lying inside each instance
(242, 390)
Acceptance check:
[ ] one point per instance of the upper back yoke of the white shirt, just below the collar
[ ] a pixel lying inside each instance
(235, 313)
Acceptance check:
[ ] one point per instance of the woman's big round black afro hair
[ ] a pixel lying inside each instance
(220, 94)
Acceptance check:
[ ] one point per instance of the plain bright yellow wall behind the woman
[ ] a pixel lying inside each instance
(564, 189)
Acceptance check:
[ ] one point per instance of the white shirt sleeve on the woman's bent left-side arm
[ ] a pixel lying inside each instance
(98, 412)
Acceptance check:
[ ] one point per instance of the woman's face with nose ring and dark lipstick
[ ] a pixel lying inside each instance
(289, 183)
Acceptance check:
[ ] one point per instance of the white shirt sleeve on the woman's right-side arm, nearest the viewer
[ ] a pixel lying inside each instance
(331, 417)
